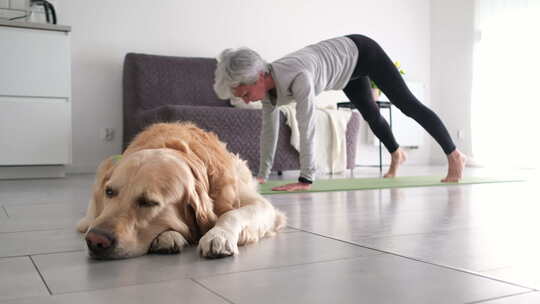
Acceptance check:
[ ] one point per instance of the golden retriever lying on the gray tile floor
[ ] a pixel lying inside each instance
(175, 185)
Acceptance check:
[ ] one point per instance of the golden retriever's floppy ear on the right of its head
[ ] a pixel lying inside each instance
(197, 198)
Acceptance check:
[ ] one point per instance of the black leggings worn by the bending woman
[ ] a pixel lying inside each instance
(374, 64)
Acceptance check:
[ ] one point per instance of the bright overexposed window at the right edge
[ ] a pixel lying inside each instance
(506, 83)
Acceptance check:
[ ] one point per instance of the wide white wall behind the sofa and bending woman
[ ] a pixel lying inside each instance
(104, 31)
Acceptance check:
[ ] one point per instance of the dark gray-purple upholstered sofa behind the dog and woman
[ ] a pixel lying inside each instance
(166, 89)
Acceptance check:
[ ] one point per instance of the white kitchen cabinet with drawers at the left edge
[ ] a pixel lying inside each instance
(35, 99)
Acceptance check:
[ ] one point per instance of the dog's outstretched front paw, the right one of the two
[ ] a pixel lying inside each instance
(218, 243)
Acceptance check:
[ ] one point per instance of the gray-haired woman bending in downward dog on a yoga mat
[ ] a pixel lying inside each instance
(344, 63)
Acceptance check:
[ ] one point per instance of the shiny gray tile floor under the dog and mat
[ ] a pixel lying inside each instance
(453, 244)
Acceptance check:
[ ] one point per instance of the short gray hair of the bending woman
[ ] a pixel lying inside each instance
(237, 67)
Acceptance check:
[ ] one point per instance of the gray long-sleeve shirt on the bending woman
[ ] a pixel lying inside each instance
(300, 76)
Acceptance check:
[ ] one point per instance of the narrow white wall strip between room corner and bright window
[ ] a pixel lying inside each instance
(452, 39)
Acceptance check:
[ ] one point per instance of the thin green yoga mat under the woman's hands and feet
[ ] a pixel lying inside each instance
(349, 184)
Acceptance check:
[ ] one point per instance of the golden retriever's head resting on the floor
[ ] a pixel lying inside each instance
(144, 194)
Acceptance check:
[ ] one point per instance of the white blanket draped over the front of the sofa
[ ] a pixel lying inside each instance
(330, 131)
